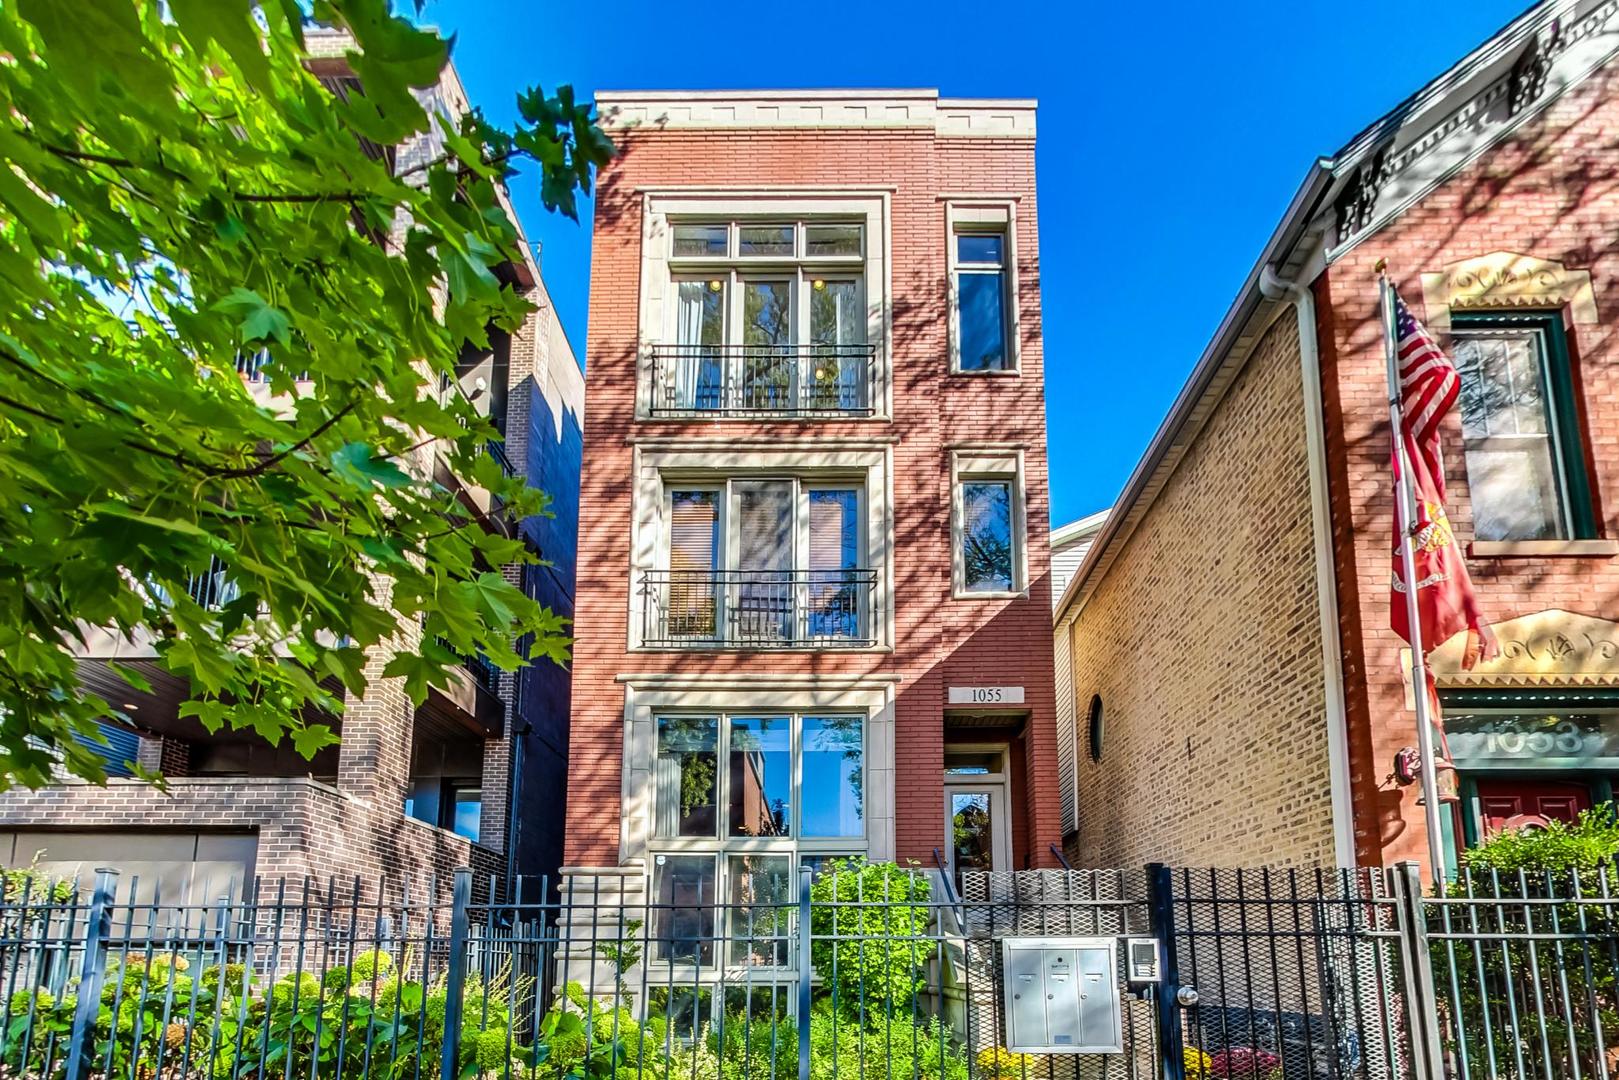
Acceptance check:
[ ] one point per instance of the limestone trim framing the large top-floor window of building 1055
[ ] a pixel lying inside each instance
(661, 273)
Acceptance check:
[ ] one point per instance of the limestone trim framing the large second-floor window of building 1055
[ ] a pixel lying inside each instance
(869, 467)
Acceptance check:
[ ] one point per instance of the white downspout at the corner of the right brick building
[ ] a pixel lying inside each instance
(1327, 579)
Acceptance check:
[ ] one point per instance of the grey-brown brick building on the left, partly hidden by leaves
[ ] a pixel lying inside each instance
(409, 793)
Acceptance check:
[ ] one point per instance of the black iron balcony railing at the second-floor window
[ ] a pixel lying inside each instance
(760, 610)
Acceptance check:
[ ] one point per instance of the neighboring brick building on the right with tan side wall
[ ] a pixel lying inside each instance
(1241, 697)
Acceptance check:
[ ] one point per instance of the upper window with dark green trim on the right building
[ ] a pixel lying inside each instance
(1521, 432)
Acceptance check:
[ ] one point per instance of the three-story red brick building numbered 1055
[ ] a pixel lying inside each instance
(814, 568)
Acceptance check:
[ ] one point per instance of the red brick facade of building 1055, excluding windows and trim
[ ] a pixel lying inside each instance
(940, 642)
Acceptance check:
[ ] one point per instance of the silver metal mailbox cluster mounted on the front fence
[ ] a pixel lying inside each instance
(1063, 995)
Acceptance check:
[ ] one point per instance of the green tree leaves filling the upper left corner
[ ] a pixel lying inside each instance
(185, 195)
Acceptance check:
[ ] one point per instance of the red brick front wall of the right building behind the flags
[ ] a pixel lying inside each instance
(1545, 193)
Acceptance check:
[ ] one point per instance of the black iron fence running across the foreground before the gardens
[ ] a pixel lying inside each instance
(844, 971)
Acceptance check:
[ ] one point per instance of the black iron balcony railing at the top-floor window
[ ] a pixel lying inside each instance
(763, 380)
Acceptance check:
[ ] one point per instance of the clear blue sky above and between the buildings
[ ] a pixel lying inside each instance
(1171, 138)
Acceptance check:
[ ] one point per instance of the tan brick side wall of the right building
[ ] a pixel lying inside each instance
(1204, 642)
